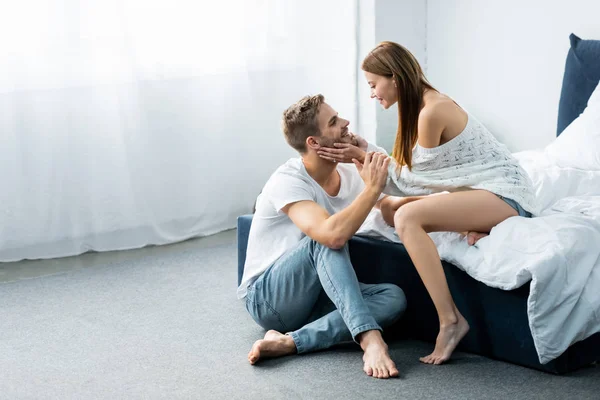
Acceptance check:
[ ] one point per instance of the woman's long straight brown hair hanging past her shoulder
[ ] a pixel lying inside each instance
(391, 60)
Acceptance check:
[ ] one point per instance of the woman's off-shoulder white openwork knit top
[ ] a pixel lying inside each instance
(472, 160)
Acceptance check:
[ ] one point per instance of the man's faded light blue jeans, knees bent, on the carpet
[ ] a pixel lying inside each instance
(312, 294)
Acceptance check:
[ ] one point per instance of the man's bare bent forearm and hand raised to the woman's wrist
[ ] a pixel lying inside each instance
(335, 230)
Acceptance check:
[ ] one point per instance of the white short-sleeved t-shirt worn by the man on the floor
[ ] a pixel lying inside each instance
(273, 233)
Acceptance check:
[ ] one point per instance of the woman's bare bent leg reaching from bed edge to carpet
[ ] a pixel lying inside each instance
(475, 210)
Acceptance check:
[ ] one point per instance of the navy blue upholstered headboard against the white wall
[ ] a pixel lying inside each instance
(582, 73)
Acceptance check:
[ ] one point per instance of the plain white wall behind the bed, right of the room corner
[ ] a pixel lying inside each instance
(504, 60)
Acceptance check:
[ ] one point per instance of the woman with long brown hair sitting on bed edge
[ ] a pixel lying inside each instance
(439, 147)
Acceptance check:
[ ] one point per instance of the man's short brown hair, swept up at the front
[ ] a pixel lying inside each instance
(300, 121)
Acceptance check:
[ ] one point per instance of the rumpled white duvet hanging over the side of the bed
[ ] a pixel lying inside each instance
(558, 251)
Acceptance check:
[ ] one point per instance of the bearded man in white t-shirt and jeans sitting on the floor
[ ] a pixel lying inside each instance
(298, 279)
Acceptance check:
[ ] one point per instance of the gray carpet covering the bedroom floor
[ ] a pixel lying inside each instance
(164, 323)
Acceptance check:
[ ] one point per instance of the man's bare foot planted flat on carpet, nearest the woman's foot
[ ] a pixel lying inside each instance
(378, 363)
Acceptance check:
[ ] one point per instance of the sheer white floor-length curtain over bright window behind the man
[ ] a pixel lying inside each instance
(125, 123)
